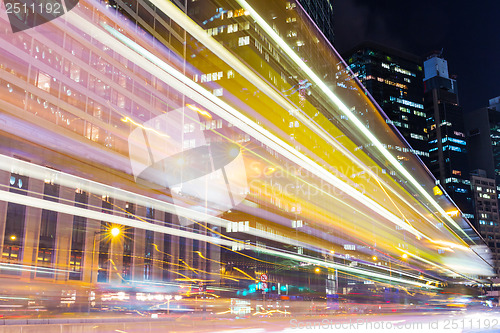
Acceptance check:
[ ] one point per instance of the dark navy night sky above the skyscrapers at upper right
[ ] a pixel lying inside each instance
(467, 31)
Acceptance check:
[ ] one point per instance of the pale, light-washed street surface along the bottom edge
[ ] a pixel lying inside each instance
(453, 322)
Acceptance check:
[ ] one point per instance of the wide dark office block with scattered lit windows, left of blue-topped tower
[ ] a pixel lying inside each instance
(394, 80)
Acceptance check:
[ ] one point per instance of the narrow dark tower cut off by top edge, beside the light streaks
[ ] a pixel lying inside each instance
(321, 12)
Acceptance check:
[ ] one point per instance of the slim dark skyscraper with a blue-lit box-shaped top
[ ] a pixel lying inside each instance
(448, 159)
